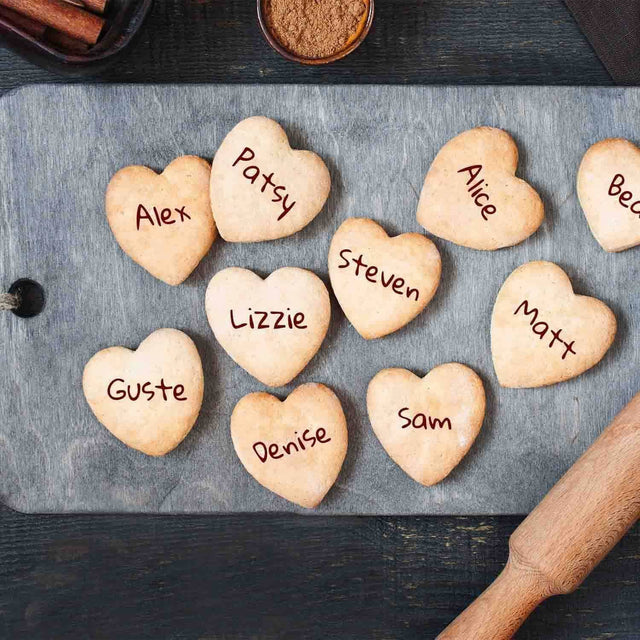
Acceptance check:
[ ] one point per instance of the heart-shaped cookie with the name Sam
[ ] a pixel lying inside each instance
(428, 424)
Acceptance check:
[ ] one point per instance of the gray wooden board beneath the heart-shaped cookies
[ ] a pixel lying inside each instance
(59, 147)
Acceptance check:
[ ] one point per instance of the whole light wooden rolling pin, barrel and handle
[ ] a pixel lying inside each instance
(574, 527)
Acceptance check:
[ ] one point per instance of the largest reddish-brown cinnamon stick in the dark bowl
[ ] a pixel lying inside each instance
(61, 16)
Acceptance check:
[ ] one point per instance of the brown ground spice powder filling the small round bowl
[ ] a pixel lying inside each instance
(314, 28)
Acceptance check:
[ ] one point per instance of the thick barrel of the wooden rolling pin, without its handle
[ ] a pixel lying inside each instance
(590, 508)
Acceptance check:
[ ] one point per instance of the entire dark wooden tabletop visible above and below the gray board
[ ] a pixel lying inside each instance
(239, 577)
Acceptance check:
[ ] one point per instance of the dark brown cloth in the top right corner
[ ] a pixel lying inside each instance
(613, 29)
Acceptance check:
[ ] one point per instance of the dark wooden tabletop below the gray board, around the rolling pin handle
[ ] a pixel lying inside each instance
(280, 578)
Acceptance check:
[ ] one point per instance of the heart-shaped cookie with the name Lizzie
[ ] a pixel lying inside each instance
(271, 327)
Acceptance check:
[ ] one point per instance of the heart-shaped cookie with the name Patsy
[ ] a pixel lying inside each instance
(262, 189)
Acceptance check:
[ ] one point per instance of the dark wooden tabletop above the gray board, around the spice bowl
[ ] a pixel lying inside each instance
(411, 42)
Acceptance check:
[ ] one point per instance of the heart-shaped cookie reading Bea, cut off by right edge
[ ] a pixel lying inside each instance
(609, 192)
